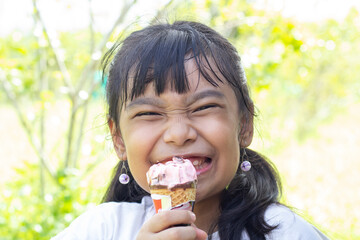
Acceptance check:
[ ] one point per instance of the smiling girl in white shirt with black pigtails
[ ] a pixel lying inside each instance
(180, 90)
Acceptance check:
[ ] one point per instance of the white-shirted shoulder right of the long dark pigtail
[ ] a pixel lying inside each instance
(290, 225)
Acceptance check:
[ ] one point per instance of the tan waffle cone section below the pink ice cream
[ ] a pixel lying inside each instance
(178, 195)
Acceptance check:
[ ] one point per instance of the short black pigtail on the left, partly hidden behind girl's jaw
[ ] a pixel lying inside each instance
(117, 192)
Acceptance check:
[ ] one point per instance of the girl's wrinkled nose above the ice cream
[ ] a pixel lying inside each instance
(179, 131)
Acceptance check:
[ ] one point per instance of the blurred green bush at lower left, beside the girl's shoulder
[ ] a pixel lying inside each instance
(28, 213)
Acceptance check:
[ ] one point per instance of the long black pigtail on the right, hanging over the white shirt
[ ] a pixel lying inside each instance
(244, 202)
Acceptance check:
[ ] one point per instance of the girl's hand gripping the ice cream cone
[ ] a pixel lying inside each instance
(162, 226)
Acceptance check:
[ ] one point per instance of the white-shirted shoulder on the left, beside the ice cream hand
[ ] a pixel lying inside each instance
(109, 220)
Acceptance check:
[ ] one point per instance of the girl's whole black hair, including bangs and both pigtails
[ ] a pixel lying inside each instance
(157, 54)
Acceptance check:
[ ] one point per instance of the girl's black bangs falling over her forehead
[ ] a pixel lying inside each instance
(161, 60)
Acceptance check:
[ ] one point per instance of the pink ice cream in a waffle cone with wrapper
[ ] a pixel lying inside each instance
(173, 184)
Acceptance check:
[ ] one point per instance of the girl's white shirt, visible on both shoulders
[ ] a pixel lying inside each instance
(122, 221)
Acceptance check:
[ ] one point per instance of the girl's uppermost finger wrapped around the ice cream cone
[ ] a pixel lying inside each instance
(166, 219)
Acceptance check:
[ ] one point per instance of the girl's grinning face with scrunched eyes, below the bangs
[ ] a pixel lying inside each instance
(201, 125)
